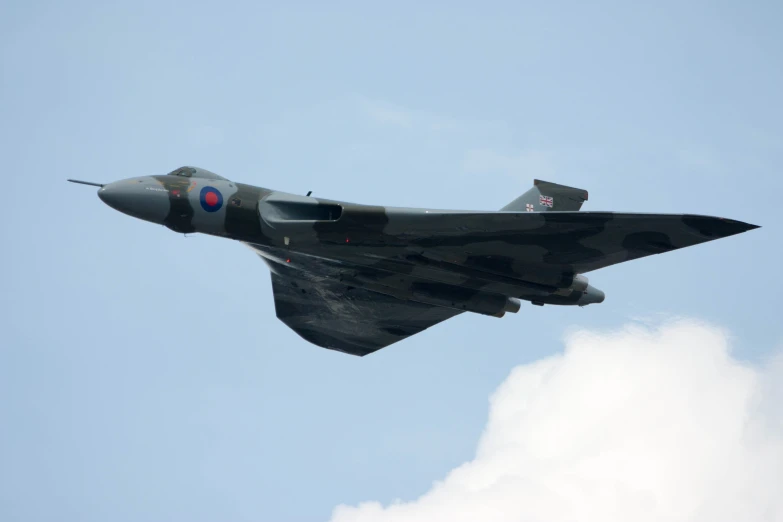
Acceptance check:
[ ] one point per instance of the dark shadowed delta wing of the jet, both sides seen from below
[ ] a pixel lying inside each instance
(356, 284)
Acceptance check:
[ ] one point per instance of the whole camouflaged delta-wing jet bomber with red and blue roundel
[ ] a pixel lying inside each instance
(357, 278)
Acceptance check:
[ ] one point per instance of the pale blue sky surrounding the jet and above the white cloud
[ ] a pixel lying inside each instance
(143, 375)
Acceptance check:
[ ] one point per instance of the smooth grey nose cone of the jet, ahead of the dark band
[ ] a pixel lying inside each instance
(137, 198)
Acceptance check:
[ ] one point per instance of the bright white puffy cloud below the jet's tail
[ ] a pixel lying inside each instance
(639, 424)
